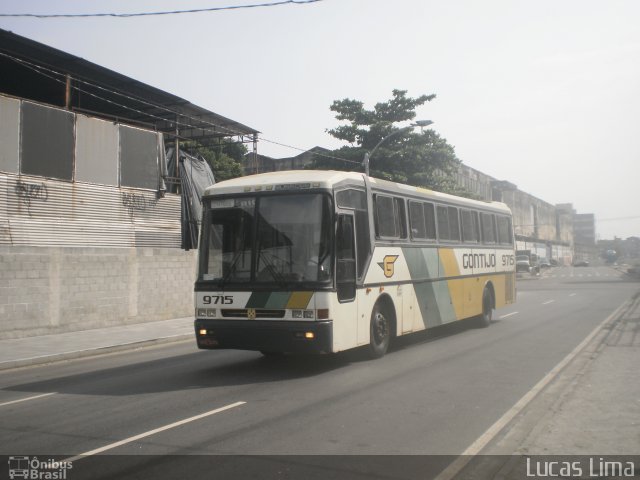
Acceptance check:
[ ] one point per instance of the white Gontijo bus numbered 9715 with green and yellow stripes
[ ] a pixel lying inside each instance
(325, 261)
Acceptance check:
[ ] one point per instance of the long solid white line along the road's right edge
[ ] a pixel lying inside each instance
(476, 447)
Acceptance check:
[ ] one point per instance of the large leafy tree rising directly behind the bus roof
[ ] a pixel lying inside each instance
(418, 158)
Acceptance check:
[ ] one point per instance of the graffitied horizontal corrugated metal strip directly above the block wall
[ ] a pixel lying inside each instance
(44, 212)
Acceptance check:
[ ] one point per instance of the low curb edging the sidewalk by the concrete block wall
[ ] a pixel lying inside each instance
(91, 352)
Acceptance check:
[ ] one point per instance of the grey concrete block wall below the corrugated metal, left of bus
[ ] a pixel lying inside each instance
(56, 289)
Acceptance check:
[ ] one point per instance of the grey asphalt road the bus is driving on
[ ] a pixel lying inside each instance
(434, 393)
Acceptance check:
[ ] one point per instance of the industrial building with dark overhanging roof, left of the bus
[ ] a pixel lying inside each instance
(92, 228)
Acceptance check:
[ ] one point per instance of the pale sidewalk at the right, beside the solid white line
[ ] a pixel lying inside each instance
(592, 407)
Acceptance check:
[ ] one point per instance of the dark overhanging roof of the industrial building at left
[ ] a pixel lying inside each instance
(35, 71)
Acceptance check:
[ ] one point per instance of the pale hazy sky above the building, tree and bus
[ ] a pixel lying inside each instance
(543, 94)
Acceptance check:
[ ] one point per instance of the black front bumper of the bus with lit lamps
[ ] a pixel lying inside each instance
(265, 335)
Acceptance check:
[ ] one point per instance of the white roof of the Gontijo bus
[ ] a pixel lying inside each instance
(289, 179)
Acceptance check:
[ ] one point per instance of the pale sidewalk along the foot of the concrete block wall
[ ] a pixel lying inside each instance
(21, 352)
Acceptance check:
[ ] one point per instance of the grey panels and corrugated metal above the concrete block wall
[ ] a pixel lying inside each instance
(43, 211)
